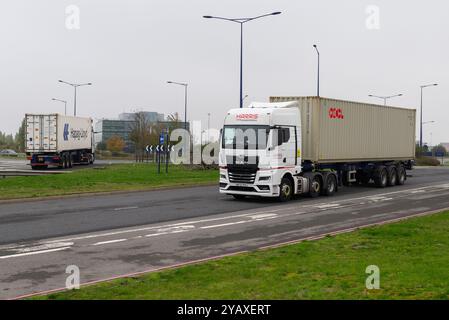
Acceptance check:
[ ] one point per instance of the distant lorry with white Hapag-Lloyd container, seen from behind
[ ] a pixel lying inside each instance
(57, 140)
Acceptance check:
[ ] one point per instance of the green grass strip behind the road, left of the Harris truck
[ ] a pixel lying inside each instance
(120, 177)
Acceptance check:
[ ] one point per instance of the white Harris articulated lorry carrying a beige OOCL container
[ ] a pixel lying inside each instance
(313, 146)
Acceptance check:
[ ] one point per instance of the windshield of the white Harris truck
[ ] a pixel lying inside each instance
(245, 137)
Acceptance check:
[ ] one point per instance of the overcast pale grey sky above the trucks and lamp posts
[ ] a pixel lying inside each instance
(129, 49)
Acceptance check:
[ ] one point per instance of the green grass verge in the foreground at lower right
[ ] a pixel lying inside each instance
(412, 256)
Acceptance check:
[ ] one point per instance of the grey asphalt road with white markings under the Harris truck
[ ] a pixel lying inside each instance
(113, 235)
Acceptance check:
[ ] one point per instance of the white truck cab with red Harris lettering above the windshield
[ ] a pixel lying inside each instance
(260, 151)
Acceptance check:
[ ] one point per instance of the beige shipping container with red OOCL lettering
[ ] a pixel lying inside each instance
(345, 131)
